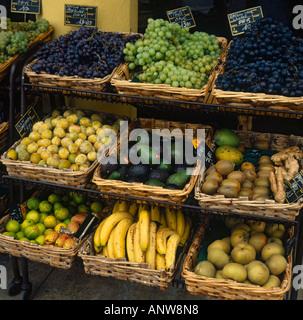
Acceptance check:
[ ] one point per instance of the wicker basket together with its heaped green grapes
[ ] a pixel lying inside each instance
(170, 62)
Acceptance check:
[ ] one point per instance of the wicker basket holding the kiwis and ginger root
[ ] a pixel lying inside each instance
(268, 208)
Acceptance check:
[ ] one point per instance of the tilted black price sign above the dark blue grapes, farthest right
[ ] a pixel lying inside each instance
(241, 21)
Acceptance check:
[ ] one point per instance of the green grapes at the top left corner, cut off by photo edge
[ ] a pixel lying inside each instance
(16, 37)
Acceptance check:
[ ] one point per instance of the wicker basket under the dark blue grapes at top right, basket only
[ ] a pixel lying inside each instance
(252, 100)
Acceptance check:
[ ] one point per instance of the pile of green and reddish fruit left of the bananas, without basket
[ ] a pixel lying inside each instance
(47, 215)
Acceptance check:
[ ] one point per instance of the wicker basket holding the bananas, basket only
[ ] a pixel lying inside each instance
(129, 271)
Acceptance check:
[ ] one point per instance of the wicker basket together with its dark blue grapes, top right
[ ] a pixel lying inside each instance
(263, 69)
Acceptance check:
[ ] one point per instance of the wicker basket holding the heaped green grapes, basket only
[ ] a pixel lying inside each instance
(123, 84)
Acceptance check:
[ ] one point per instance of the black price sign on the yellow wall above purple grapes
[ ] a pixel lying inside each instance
(80, 16)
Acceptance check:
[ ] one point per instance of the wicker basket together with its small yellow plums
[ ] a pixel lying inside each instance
(62, 148)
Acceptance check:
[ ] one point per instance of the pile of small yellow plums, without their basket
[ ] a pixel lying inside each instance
(70, 140)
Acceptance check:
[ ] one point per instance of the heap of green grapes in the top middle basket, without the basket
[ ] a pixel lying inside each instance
(172, 55)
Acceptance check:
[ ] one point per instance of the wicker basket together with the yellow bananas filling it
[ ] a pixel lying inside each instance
(138, 243)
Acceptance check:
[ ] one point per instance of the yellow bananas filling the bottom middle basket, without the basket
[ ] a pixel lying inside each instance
(140, 233)
